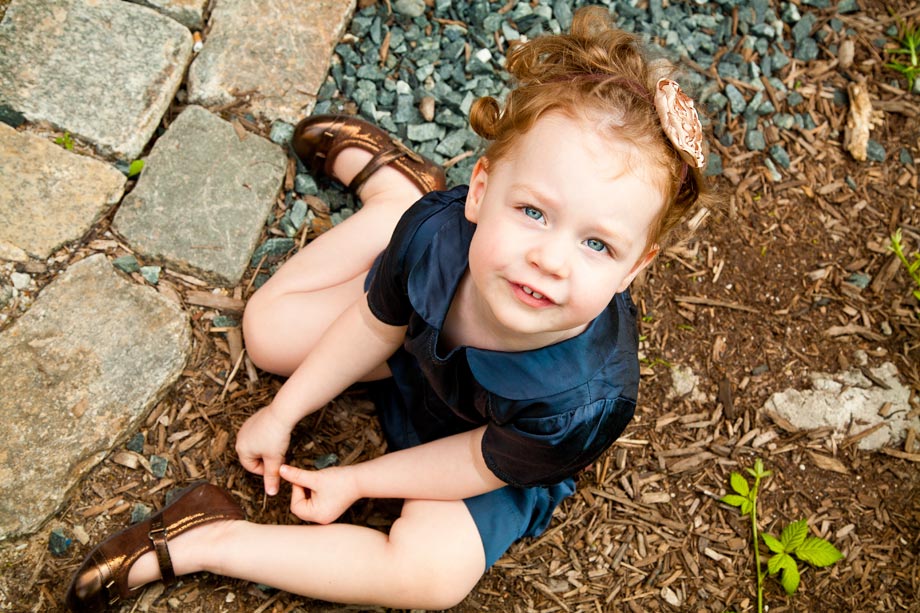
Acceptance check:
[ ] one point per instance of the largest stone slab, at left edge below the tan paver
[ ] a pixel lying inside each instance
(80, 370)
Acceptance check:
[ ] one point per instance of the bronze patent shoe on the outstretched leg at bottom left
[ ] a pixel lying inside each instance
(102, 580)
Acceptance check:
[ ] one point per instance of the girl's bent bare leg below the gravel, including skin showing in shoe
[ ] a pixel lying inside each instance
(286, 316)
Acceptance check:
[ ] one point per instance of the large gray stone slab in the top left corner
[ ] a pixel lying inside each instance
(104, 71)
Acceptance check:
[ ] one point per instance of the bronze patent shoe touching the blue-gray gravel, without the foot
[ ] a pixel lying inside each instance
(319, 139)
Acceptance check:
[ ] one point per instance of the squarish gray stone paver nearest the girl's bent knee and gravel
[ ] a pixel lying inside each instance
(203, 197)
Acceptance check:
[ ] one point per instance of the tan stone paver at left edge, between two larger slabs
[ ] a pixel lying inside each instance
(50, 196)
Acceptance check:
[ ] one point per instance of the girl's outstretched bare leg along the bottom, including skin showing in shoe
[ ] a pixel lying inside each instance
(431, 559)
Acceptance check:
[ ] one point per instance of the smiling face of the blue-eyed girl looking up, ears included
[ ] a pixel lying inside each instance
(562, 225)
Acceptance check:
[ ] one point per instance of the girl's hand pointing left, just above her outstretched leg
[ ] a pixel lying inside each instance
(320, 496)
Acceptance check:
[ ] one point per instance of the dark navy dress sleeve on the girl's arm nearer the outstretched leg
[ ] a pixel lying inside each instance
(531, 451)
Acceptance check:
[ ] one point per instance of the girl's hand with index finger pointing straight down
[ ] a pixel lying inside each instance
(261, 444)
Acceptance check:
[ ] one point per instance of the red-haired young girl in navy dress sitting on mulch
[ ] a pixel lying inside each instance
(494, 320)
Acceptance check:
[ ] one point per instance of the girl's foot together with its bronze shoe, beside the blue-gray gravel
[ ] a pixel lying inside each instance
(319, 140)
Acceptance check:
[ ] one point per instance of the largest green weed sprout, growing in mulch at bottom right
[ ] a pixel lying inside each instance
(794, 540)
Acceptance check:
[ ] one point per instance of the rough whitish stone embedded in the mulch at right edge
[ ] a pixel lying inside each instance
(849, 403)
